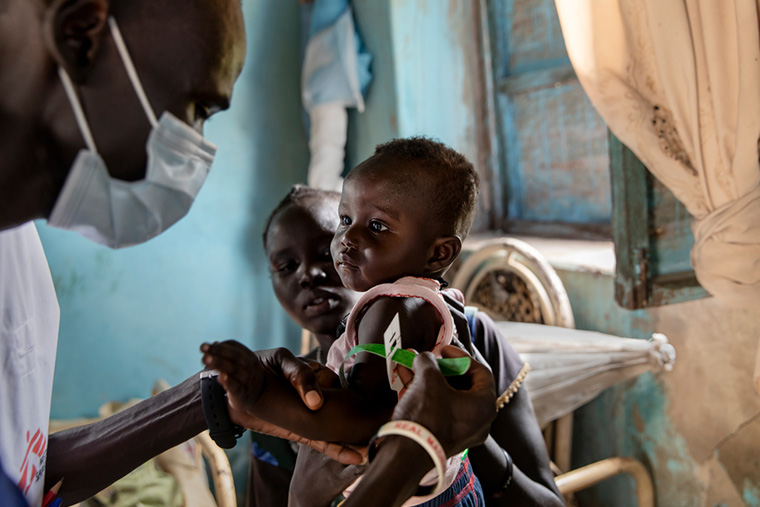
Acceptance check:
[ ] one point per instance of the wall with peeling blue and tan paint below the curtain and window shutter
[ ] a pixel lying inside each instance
(697, 428)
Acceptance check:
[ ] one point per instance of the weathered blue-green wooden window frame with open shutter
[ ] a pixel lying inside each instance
(632, 227)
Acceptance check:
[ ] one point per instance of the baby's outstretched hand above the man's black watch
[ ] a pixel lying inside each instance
(241, 373)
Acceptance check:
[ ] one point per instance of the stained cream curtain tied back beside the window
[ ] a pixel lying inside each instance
(678, 81)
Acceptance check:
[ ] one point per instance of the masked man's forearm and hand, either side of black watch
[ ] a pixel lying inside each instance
(89, 458)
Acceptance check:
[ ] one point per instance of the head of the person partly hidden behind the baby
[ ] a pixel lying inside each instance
(297, 243)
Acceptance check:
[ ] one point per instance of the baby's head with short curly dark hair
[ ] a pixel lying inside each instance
(404, 212)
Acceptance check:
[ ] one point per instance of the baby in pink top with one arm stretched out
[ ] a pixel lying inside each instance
(404, 214)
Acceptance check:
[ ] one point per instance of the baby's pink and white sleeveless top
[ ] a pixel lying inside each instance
(407, 287)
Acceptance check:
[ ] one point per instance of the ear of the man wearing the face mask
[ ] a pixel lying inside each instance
(73, 30)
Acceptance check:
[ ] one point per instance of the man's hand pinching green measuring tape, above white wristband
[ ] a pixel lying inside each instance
(459, 418)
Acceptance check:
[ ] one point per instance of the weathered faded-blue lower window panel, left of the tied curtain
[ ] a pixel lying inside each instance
(558, 159)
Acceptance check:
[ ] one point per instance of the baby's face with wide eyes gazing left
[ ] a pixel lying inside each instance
(382, 234)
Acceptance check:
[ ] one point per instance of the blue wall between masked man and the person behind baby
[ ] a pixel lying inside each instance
(131, 316)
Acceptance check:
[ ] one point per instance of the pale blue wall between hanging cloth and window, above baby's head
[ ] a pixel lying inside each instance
(426, 75)
